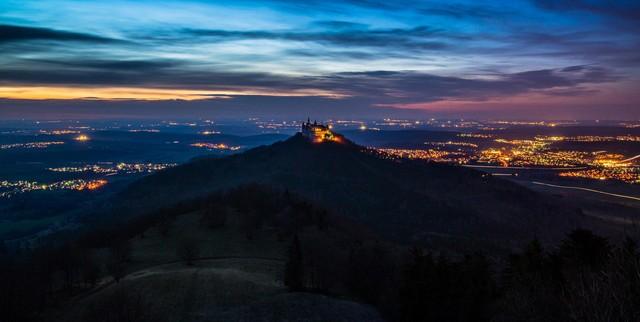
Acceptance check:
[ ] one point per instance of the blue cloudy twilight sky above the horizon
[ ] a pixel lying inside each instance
(367, 58)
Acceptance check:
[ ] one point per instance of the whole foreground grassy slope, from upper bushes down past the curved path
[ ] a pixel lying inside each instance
(233, 279)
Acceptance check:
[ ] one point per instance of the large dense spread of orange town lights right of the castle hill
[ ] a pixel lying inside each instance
(532, 153)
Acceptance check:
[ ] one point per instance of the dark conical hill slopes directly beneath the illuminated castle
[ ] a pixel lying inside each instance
(402, 200)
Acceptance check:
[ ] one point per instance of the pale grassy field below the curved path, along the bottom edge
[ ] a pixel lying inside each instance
(226, 290)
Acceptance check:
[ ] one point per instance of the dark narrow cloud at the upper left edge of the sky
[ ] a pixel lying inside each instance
(12, 33)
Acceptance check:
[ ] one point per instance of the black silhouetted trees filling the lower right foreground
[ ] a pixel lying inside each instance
(584, 278)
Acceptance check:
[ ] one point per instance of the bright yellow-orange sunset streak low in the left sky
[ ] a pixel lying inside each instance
(147, 94)
